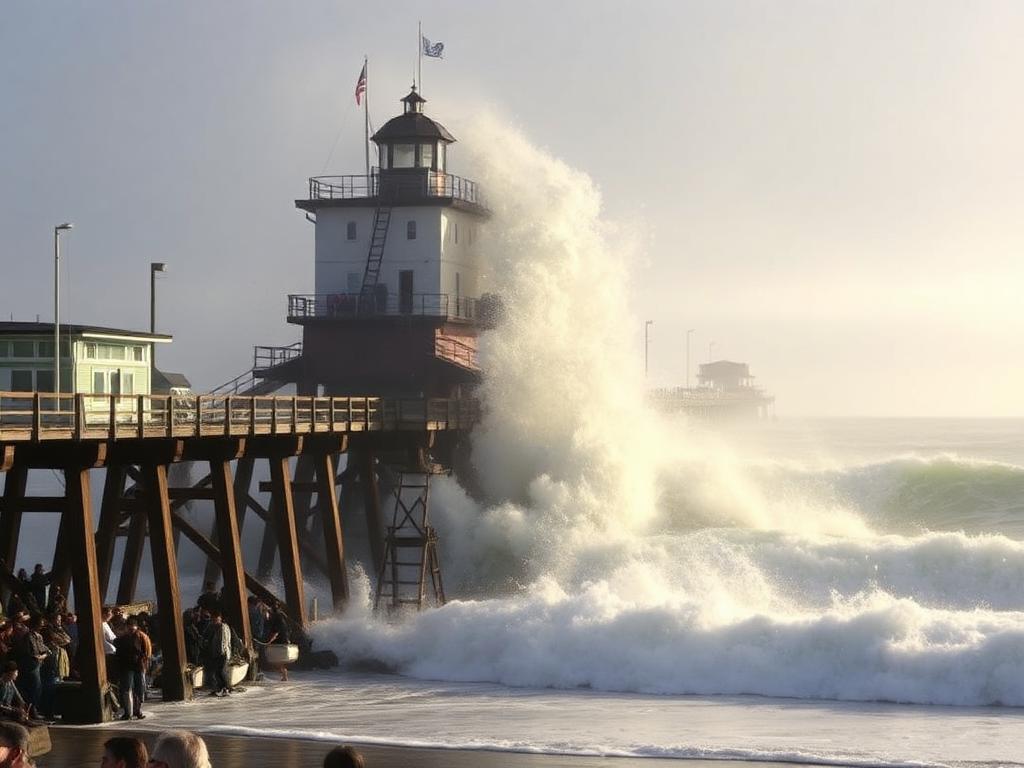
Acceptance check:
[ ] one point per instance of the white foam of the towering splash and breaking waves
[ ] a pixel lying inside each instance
(620, 551)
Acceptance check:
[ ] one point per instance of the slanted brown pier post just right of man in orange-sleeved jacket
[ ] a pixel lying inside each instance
(177, 687)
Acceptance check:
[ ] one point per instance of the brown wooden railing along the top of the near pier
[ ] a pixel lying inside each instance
(37, 417)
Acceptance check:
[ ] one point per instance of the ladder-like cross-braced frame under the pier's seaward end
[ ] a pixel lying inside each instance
(410, 547)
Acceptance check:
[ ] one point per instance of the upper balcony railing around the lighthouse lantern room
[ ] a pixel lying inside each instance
(397, 186)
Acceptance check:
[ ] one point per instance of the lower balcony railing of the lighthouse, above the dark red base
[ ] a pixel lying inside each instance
(381, 305)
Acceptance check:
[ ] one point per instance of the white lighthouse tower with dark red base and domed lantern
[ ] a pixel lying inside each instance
(397, 304)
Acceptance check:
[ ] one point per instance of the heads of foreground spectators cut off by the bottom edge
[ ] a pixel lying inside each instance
(172, 750)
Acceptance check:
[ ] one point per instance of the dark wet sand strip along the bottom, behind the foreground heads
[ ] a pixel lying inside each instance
(82, 748)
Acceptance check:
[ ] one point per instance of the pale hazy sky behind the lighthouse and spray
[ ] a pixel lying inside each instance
(829, 191)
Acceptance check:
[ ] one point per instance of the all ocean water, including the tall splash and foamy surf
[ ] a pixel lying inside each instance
(624, 583)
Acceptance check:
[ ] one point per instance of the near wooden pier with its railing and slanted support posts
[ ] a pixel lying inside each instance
(138, 438)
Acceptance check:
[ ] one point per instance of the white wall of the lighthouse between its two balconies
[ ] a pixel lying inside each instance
(340, 260)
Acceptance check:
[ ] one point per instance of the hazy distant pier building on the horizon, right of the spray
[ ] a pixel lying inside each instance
(727, 392)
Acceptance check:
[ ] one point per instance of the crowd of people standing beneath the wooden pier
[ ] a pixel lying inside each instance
(39, 644)
